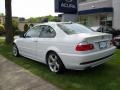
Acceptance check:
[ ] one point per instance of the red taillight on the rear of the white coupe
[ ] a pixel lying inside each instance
(84, 47)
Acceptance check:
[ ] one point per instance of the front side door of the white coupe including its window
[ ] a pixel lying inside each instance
(29, 43)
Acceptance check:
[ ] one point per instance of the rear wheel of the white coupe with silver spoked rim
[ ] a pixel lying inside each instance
(54, 63)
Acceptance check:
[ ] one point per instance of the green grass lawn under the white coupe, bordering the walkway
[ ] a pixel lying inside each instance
(104, 77)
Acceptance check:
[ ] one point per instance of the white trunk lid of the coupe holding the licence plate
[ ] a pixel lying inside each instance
(101, 41)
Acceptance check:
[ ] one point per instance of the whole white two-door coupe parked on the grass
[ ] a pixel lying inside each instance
(64, 45)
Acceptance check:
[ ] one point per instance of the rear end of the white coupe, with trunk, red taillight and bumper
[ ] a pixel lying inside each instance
(89, 50)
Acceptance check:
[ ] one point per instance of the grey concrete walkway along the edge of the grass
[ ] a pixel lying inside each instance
(14, 77)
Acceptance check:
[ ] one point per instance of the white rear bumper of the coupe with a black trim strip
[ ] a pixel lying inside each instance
(81, 62)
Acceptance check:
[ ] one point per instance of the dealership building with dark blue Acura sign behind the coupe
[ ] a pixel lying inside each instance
(90, 12)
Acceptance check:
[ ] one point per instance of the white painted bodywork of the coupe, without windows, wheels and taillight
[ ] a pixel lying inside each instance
(64, 45)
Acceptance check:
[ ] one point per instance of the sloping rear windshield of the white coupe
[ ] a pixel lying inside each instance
(74, 28)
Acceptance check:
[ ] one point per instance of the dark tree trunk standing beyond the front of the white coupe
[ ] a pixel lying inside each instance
(8, 22)
